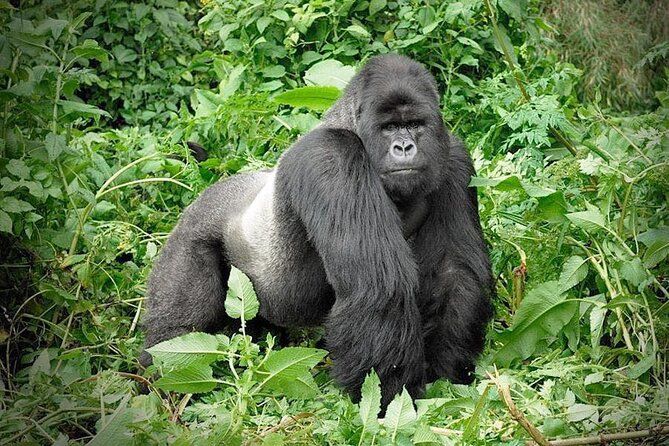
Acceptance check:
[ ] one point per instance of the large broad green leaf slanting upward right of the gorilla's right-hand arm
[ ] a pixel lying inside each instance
(542, 314)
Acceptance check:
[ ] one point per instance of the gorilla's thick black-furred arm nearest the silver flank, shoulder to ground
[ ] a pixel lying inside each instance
(356, 229)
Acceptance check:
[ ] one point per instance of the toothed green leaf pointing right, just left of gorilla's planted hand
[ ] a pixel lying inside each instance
(289, 373)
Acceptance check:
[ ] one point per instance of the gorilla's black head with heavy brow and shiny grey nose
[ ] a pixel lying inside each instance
(400, 125)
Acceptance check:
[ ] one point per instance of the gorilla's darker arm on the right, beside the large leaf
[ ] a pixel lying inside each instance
(458, 286)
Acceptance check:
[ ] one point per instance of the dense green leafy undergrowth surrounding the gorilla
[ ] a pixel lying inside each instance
(98, 101)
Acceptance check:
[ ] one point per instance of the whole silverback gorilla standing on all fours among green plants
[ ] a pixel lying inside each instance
(367, 225)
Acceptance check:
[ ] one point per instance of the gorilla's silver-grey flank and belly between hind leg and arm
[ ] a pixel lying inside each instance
(272, 248)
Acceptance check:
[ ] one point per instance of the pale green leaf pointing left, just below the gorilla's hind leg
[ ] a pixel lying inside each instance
(186, 350)
